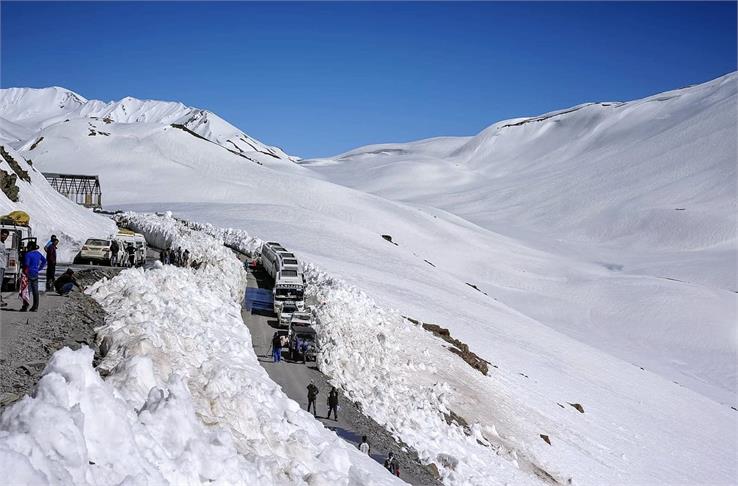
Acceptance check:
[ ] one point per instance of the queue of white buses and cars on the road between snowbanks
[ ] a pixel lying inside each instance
(289, 300)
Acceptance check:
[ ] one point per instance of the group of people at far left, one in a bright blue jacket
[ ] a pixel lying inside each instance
(32, 264)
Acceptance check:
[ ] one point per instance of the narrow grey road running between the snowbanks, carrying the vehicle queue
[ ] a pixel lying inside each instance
(294, 377)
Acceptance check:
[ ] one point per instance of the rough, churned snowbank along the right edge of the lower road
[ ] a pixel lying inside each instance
(364, 351)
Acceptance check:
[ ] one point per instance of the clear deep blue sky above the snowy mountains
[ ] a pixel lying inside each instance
(321, 78)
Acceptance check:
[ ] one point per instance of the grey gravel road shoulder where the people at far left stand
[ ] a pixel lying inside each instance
(69, 324)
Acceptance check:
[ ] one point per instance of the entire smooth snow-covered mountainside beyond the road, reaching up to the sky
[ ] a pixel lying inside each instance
(588, 254)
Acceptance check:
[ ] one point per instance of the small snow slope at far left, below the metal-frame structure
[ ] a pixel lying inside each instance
(50, 212)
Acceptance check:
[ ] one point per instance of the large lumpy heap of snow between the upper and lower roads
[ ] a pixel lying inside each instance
(186, 401)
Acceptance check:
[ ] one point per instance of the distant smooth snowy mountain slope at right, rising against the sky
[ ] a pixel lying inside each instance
(651, 174)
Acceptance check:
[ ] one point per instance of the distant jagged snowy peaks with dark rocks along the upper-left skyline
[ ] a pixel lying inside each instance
(33, 110)
